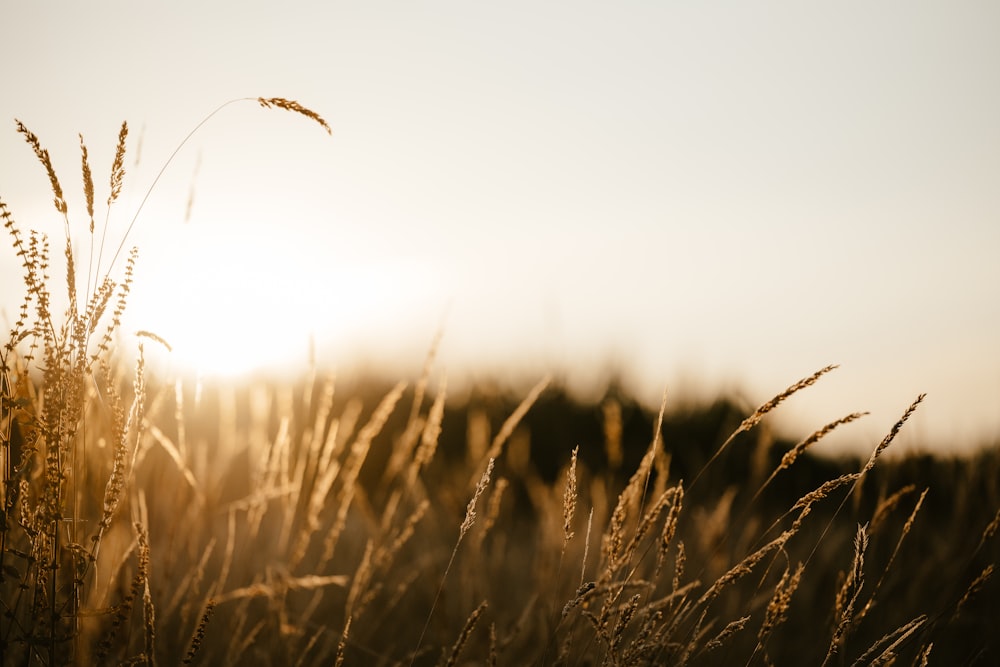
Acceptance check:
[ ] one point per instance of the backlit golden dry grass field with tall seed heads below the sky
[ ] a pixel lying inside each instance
(153, 521)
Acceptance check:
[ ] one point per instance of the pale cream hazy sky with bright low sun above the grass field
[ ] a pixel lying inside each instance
(706, 197)
